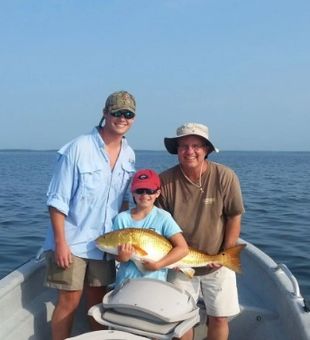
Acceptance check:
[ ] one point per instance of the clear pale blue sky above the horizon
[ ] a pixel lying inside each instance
(241, 67)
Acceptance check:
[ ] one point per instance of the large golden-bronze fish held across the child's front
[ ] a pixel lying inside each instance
(149, 245)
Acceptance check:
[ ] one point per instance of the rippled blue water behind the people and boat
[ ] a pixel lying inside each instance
(275, 185)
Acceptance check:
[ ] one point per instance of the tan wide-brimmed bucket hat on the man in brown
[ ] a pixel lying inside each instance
(187, 129)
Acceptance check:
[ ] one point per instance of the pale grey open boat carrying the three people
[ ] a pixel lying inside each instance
(272, 306)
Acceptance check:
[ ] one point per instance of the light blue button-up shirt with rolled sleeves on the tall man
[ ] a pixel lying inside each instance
(88, 192)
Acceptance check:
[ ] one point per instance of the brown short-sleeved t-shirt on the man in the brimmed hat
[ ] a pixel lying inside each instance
(202, 213)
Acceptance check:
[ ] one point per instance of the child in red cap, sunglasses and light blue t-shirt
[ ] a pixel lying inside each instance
(145, 189)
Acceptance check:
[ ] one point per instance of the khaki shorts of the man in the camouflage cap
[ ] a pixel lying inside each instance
(94, 273)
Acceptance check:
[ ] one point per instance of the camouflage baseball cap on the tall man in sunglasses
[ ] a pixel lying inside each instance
(120, 100)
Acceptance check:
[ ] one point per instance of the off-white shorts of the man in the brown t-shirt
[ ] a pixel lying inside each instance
(218, 290)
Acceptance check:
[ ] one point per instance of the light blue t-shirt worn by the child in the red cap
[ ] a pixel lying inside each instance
(157, 220)
